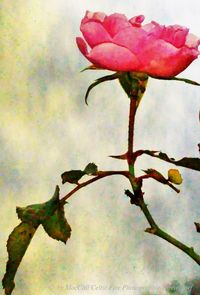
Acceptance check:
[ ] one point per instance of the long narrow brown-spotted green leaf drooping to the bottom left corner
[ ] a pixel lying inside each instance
(17, 245)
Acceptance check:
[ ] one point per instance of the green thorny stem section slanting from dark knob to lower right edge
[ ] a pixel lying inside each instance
(162, 234)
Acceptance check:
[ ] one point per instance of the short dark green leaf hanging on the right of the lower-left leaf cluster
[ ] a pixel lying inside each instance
(57, 226)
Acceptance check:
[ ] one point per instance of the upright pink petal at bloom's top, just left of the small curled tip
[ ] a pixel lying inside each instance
(115, 22)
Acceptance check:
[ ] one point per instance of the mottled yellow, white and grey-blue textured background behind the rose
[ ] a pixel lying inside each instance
(45, 129)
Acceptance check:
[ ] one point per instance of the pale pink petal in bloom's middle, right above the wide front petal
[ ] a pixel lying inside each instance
(132, 38)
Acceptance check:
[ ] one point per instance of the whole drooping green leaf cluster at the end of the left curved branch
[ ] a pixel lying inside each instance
(51, 215)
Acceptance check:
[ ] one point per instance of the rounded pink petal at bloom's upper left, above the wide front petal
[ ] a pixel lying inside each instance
(94, 33)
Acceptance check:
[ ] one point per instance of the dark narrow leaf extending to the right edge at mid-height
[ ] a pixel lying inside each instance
(191, 163)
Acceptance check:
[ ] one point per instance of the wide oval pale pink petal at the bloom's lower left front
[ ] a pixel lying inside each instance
(113, 57)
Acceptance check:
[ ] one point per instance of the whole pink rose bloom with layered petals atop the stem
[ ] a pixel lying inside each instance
(119, 44)
